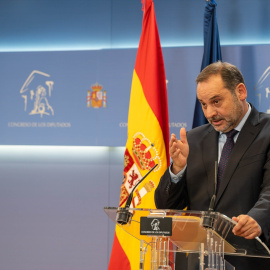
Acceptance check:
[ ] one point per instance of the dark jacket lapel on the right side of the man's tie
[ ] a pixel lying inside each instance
(246, 136)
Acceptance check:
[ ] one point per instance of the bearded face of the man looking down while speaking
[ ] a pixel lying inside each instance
(222, 109)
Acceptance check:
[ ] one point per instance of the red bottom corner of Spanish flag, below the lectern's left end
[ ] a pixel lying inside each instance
(119, 259)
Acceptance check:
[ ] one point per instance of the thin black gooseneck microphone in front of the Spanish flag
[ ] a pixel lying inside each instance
(123, 214)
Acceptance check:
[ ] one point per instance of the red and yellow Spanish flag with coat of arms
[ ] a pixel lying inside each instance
(148, 137)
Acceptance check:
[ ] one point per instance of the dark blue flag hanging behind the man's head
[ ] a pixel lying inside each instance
(212, 52)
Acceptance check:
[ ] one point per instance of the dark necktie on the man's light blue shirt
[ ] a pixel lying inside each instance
(226, 151)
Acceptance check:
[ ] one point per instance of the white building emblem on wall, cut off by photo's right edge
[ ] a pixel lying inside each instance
(263, 91)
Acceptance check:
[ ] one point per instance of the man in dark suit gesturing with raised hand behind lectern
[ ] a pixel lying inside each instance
(243, 193)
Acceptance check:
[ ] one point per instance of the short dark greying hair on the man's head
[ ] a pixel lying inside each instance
(230, 74)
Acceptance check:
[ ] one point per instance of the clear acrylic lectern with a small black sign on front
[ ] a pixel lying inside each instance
(207, 236)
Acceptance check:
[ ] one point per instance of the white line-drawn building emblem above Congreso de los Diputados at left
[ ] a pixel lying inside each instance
(36, 93)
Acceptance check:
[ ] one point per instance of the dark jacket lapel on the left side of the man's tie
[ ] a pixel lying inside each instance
(210, 155)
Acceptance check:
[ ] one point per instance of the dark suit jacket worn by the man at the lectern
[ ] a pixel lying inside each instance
(245, 188)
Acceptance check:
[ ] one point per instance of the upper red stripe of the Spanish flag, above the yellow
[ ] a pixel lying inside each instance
(150, 69)
